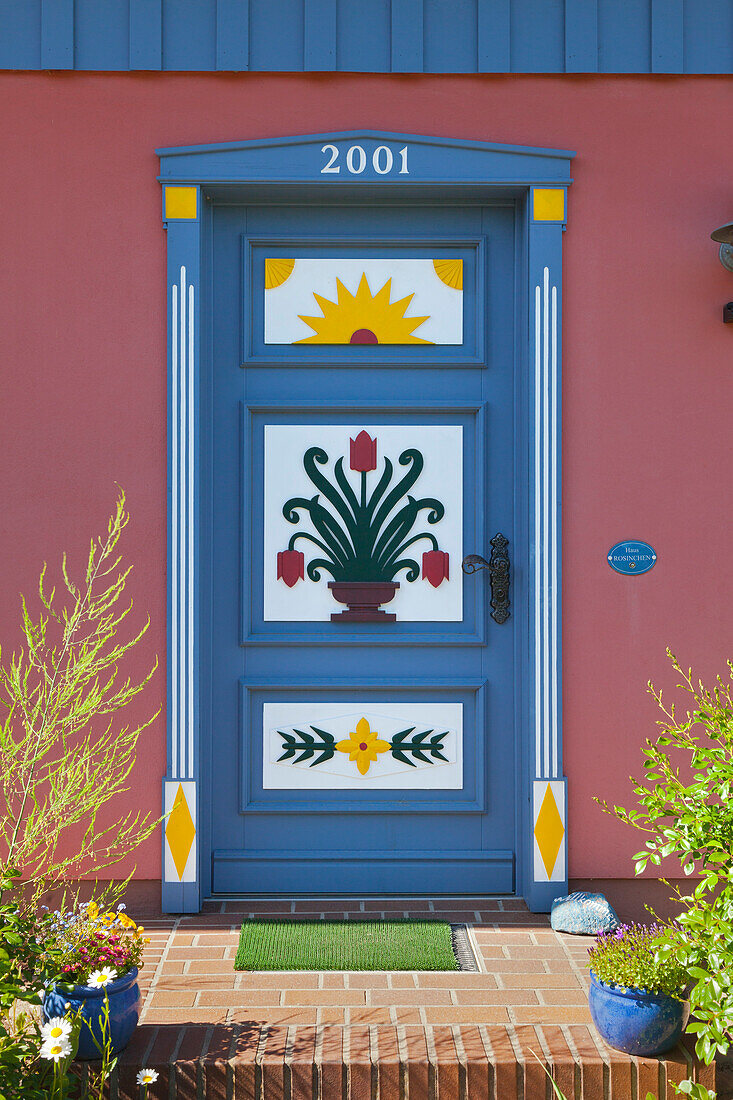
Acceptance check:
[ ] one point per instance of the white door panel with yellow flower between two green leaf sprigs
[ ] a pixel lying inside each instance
(363, 746)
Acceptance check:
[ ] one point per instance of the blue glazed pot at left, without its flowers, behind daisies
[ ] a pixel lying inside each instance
(125, 1004)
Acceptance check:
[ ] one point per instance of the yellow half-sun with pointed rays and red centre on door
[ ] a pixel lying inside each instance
(364, 318)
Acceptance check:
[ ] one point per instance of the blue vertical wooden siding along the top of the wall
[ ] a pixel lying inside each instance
(370, 36)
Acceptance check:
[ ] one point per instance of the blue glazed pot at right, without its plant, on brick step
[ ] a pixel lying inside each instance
(634, 1021)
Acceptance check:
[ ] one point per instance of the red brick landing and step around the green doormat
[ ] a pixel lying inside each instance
(216, 1035)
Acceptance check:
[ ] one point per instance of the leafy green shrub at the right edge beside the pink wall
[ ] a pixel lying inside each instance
(686, 809)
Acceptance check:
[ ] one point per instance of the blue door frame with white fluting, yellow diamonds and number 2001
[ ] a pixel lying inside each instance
(302, 169)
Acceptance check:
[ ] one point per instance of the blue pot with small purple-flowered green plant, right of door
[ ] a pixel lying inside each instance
(638, 995)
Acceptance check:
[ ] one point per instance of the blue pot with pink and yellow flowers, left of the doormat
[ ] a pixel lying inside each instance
(97, 956)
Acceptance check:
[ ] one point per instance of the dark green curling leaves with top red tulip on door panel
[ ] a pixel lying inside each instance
(363, 537)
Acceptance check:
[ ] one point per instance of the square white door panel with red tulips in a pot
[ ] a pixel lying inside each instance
(374, 507)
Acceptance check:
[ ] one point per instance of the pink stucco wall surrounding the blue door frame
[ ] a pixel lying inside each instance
(648, 361)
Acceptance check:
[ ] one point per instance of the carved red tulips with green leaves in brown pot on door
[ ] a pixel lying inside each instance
(364, 533)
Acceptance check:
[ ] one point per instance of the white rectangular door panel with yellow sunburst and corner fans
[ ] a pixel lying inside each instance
(364, 302)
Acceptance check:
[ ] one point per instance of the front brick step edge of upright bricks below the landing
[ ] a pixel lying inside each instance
(406, 1063)
